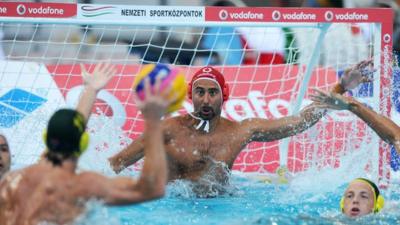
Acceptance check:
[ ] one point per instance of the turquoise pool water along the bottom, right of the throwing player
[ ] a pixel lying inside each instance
(253, 203)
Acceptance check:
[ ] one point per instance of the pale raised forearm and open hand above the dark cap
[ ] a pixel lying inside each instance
(93, 83)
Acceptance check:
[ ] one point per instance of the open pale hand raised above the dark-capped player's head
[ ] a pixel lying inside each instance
(100, 76)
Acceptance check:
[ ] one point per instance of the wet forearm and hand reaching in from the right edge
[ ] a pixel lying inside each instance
(383, 126)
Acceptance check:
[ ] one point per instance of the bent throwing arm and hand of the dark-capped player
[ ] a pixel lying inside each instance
(152, 181)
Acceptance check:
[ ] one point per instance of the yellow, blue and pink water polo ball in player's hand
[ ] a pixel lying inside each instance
(170, 77)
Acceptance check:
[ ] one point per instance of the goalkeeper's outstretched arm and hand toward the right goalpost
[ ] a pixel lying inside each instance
(270, 130)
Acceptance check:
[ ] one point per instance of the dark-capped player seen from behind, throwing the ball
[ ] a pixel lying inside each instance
(52, 191)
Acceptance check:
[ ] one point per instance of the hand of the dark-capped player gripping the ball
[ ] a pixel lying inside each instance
(156, 102)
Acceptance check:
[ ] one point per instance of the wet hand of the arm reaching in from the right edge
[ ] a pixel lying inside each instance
(329, 100)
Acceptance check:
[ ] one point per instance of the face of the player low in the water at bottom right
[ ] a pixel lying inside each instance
(358, 199)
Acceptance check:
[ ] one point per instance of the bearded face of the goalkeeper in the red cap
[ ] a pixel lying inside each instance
(207, 98)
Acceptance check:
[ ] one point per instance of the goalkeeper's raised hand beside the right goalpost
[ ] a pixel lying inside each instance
(360, 73)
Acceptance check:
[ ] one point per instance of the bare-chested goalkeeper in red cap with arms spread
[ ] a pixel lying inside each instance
(202, 146)
